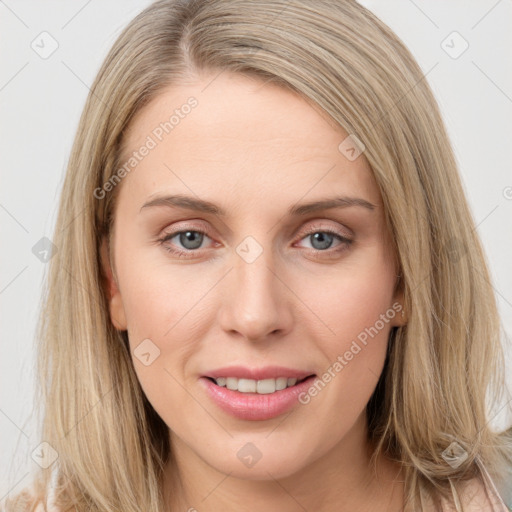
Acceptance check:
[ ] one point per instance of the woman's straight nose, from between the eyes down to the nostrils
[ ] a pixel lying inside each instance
(254, 305)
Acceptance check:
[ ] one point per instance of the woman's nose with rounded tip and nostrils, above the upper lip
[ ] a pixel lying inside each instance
(256, 303)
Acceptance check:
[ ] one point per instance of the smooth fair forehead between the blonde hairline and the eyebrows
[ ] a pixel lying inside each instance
(235, 134)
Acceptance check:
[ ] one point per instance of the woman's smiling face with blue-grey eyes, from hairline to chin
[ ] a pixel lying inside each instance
(258, 285)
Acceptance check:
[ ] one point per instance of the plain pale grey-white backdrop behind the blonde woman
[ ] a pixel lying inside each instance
(463, 47)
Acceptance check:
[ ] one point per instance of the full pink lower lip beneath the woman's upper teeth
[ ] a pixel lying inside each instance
(253, 406)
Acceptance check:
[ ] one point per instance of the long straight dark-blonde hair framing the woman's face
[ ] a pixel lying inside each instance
(444, 370)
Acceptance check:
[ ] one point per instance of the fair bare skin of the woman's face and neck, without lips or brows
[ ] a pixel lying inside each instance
(255, 150)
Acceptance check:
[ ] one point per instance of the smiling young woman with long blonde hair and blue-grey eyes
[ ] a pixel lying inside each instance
(268, 292)
